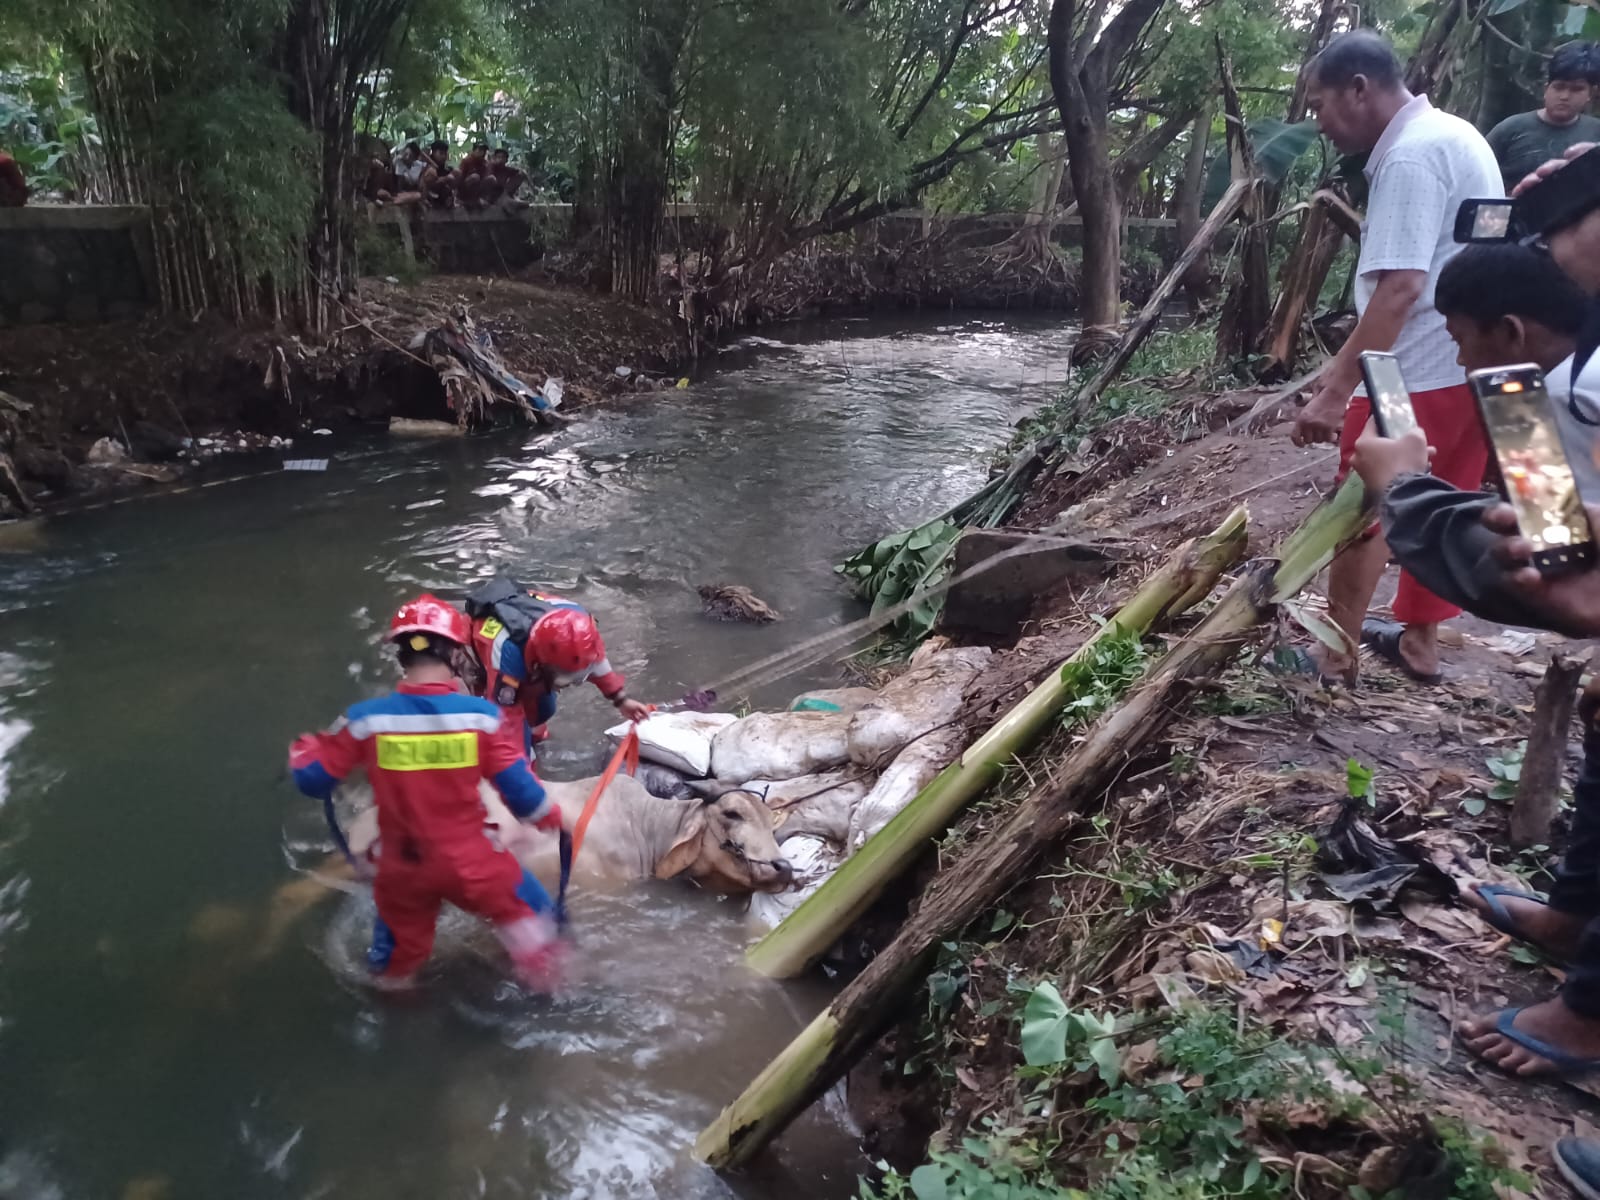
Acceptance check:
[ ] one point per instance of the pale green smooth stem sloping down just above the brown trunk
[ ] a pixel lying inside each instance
(825, 916)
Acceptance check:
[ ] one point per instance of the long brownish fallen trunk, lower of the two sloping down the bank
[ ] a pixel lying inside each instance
(983, 876)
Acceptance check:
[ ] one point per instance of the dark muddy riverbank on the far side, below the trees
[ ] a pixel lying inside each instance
(174, 390)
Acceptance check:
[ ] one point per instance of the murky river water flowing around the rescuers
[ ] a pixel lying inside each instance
(175, 1025)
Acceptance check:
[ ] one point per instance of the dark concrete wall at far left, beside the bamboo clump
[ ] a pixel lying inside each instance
(76, 263)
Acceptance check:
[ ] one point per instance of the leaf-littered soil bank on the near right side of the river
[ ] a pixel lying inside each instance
(1202, 889)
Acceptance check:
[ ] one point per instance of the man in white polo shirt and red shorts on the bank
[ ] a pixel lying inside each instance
(1422, 167)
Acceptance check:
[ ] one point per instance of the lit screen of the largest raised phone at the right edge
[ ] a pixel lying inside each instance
(1538, 478)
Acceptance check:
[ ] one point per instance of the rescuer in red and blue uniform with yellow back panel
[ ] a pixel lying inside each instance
(425, 750)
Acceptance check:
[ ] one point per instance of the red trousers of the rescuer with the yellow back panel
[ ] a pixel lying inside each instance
(476, 878)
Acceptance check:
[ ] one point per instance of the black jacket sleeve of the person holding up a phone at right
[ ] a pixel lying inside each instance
(1436, 532)
